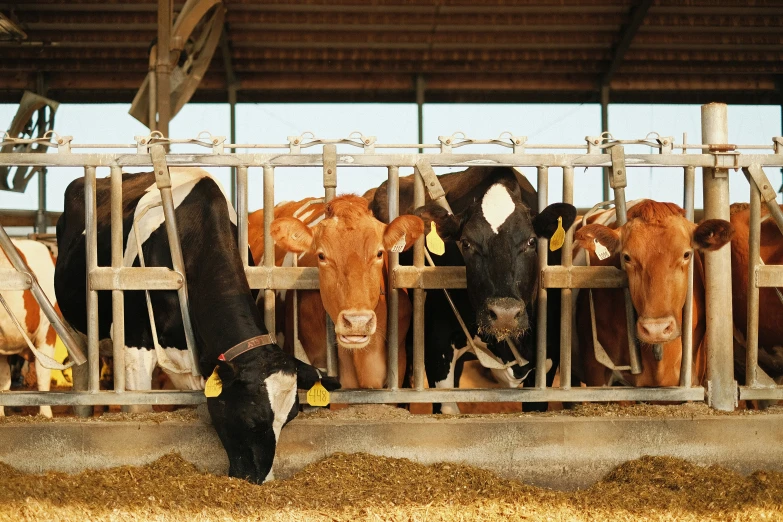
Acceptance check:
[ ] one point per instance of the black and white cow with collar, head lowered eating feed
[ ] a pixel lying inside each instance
(259, 380)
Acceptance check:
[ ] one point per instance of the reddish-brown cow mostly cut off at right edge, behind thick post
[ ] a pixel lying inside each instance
(770, 308)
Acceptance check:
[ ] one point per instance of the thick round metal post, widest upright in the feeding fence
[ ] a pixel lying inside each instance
(721, 388)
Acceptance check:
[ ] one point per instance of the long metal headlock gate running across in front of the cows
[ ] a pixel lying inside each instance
(715, 157)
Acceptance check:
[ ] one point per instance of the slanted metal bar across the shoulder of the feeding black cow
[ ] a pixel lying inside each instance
(163, 181)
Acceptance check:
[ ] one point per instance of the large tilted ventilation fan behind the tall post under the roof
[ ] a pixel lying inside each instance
(194, 38)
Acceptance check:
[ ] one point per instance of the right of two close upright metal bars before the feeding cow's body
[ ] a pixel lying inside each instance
(117, 296)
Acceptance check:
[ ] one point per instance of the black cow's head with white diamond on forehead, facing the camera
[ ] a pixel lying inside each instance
(498, 237)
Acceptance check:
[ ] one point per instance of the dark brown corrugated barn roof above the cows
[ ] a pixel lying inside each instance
(661, 51)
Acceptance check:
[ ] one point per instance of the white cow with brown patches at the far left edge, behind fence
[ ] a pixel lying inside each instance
(29, 314)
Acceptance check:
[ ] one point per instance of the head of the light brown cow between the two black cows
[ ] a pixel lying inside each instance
(350, 246)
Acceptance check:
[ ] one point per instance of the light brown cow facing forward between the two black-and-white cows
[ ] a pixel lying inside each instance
(349, 246)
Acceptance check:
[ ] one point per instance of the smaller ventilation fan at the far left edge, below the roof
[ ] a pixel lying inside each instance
(34, 119)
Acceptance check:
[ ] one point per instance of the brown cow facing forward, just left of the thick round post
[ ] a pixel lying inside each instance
(656, 246)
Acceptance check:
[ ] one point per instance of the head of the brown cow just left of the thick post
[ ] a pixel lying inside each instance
(656, 247)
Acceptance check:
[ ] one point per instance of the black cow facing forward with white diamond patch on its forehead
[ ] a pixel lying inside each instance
(496, 222)
